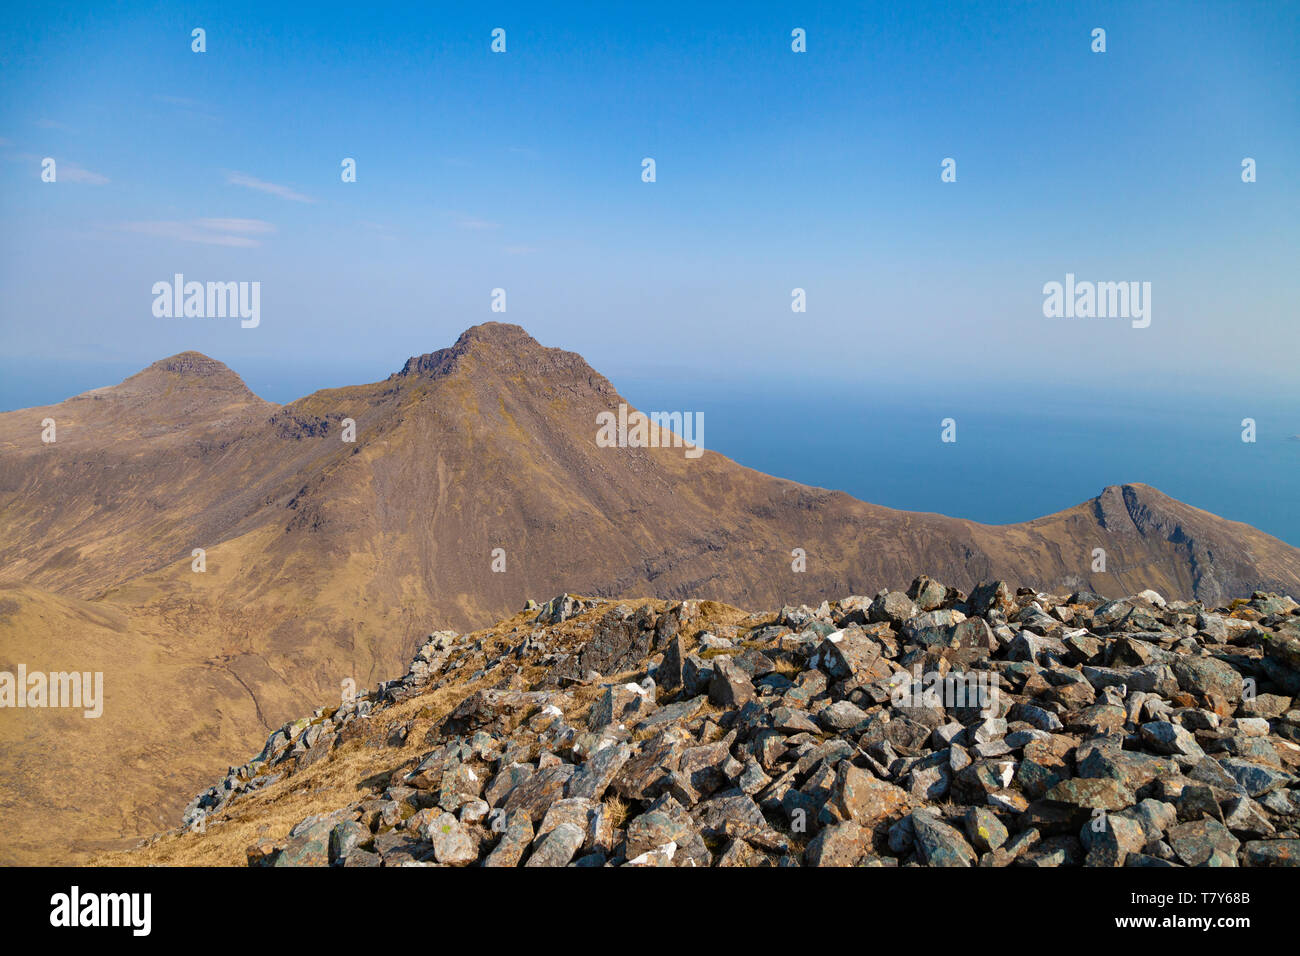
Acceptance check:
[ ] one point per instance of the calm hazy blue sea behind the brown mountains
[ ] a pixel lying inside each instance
(1021, 452)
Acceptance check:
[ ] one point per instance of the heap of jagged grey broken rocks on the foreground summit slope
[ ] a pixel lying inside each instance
(922, 728)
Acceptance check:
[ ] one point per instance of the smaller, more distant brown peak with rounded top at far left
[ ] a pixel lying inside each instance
(137, 471)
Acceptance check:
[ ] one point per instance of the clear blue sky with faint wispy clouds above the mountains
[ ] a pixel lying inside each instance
(774, 171)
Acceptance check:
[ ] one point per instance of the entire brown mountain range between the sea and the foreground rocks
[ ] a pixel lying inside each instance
(328, 561)
